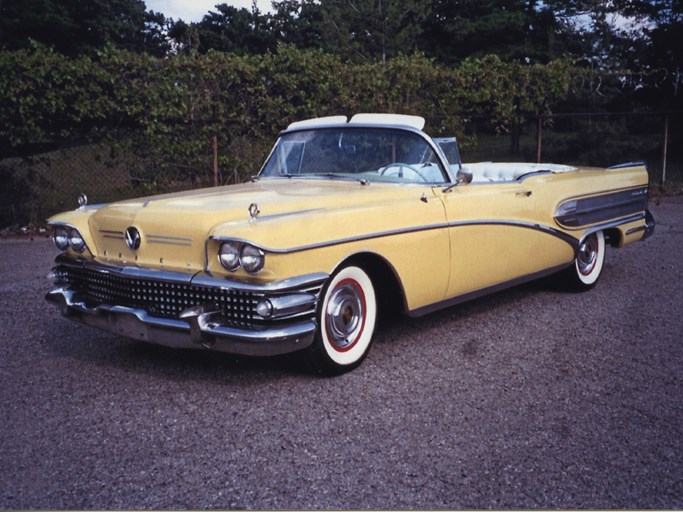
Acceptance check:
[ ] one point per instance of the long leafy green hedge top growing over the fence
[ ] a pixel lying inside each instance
(171, 107)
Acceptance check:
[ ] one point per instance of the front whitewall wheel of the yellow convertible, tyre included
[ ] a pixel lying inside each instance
(347, 318)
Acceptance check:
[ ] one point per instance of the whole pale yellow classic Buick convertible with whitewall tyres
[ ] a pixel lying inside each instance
(346, 219)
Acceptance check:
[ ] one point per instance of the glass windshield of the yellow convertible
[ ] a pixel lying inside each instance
(372, 154)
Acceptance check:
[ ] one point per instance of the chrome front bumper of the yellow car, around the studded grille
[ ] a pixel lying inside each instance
(200, 326)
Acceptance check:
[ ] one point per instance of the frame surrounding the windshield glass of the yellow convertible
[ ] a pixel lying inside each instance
(441, 161)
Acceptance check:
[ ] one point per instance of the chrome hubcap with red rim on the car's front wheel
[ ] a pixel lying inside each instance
(344, 316)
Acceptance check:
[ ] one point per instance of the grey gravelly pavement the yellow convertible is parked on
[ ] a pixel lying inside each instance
(531, 398)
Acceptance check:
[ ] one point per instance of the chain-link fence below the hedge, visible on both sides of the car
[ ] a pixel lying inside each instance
(33, 187)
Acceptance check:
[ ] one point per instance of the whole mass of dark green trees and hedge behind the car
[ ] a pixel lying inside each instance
(150, 95)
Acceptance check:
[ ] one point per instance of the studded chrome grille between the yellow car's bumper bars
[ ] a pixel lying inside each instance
(158, 298)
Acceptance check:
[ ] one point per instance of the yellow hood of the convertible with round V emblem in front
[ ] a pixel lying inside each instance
(174, 228)
